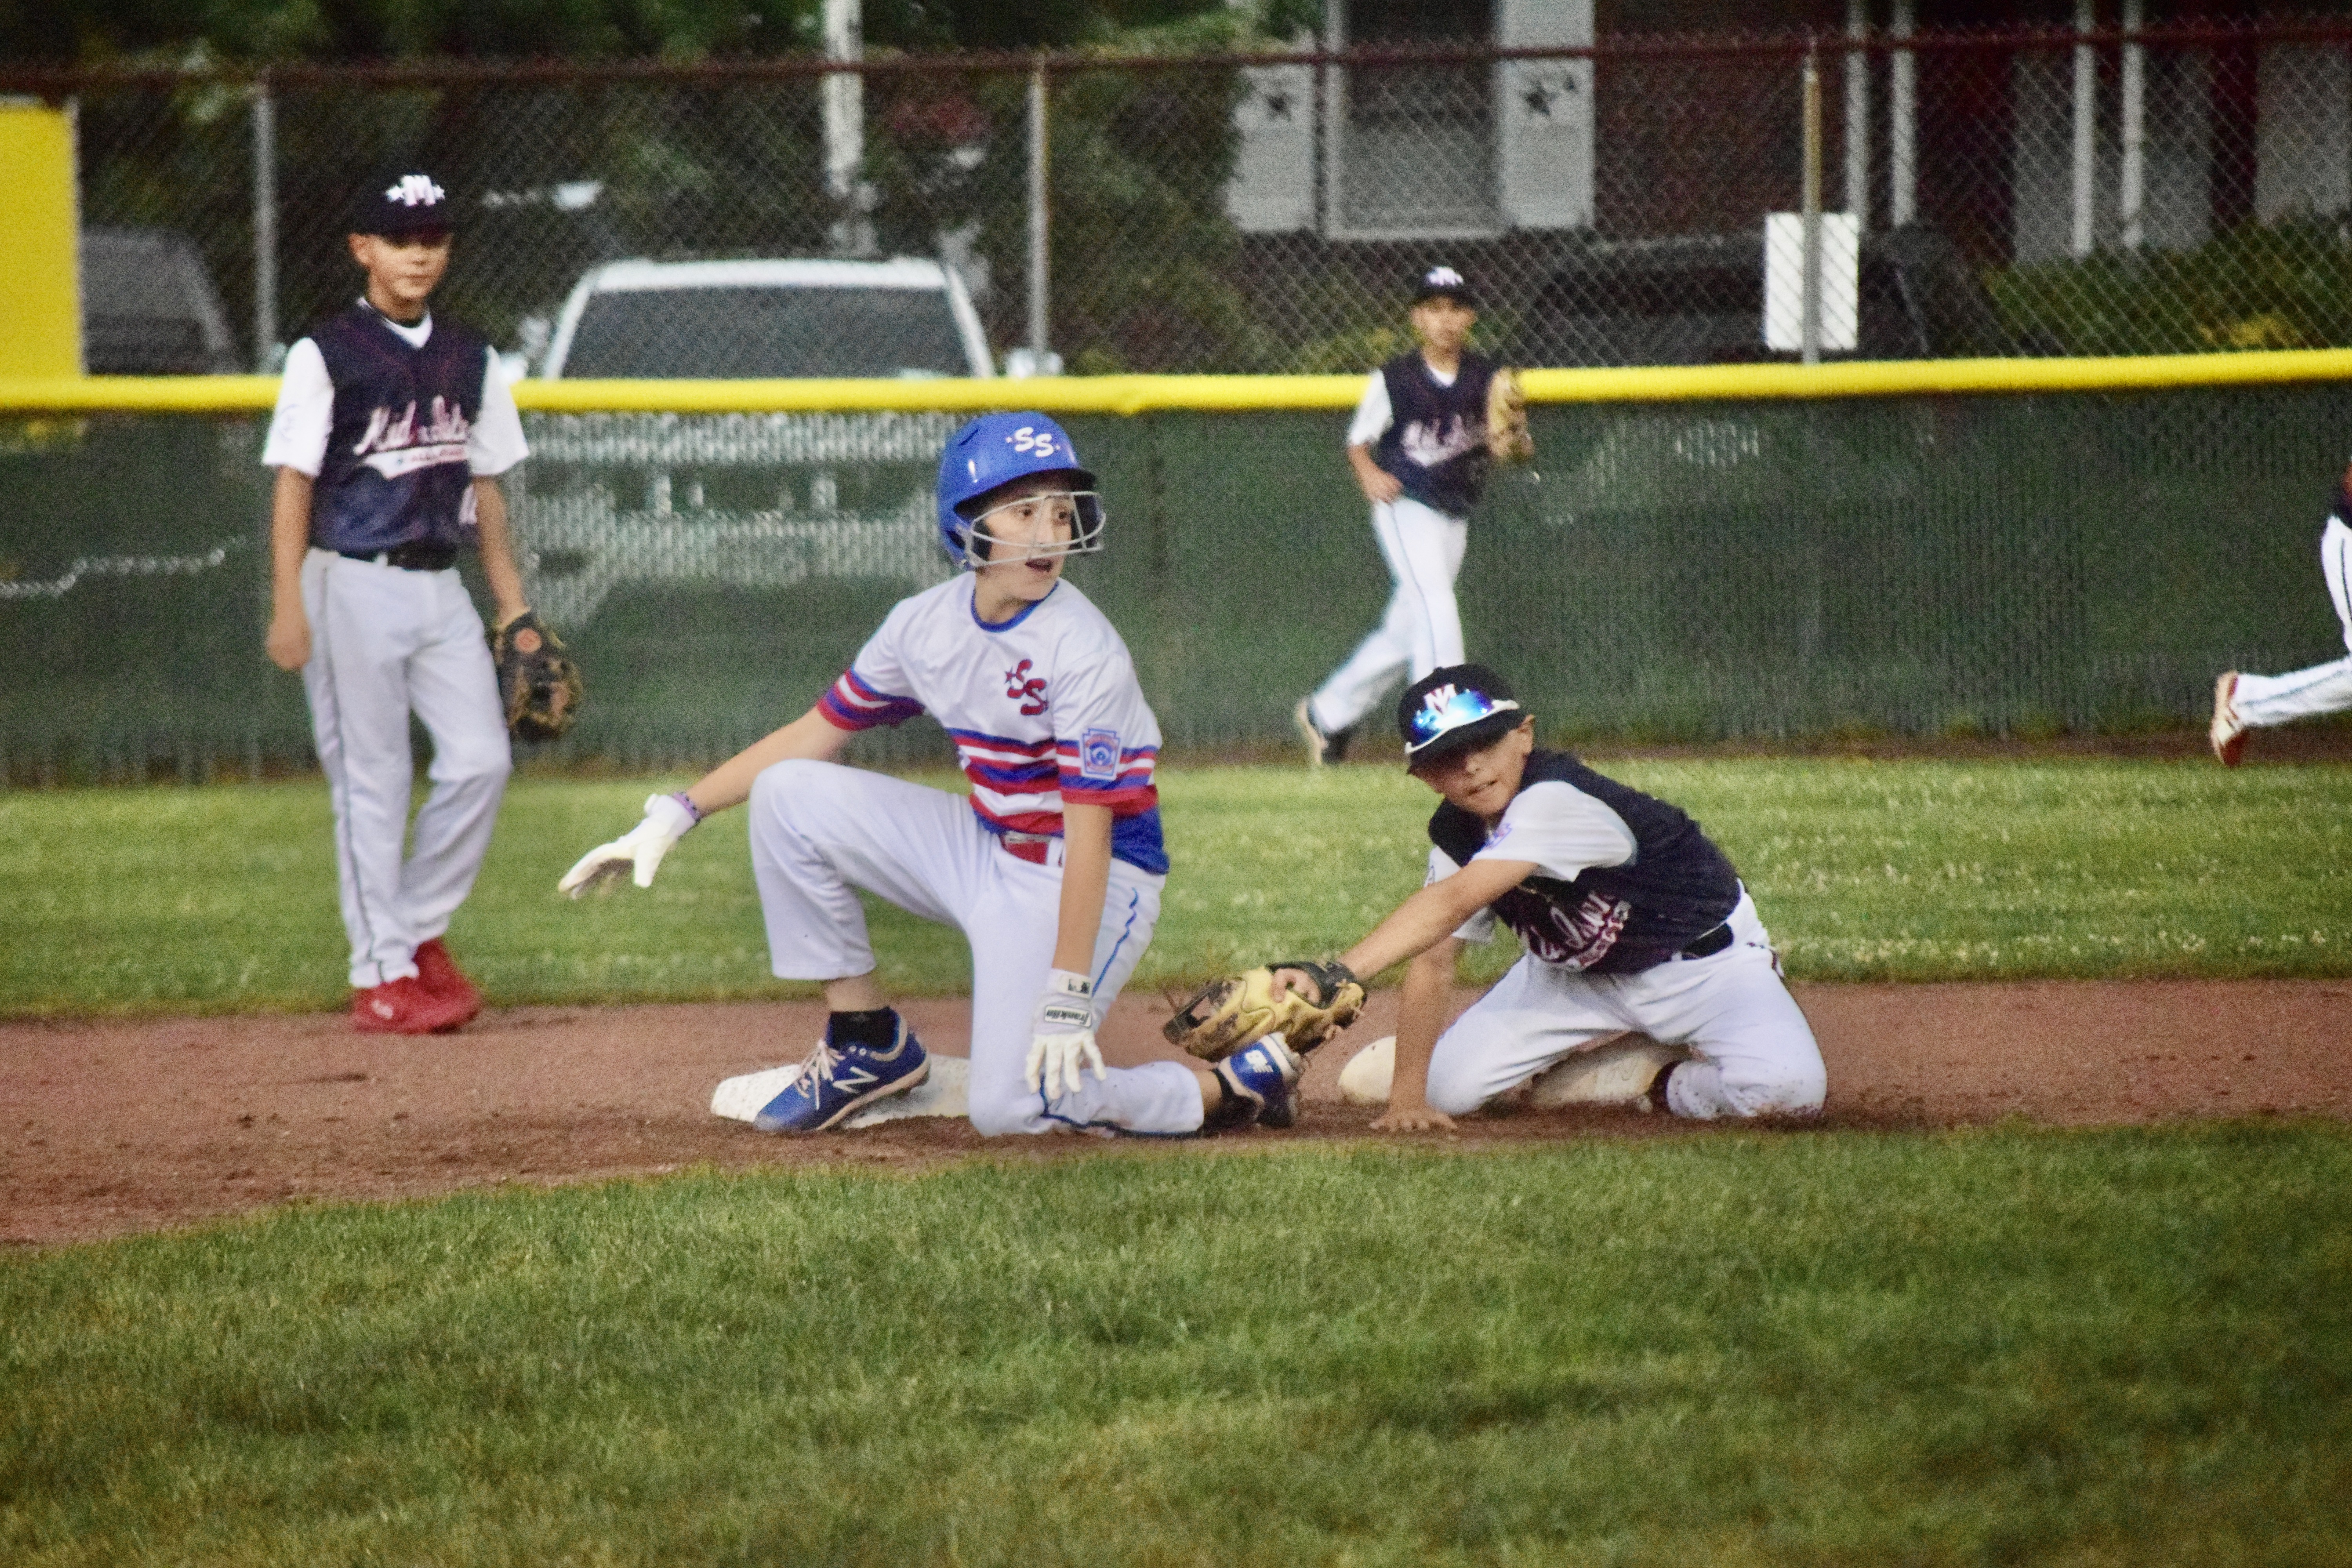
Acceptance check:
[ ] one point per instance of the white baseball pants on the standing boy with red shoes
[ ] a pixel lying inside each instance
(389, 643)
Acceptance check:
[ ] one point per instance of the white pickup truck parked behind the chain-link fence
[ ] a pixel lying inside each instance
(742, 500)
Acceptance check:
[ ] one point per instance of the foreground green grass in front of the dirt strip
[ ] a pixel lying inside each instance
(1728, 1348)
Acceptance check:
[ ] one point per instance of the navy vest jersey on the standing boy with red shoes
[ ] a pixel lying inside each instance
(396, 467)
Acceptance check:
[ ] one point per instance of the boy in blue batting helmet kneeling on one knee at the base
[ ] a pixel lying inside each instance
(1055, 864)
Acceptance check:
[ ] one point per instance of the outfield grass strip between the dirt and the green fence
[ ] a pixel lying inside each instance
(222, 899)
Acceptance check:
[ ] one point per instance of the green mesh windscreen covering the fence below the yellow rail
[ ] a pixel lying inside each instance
(1777, 570)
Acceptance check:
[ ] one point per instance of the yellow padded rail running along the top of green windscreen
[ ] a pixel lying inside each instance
(1238, 394)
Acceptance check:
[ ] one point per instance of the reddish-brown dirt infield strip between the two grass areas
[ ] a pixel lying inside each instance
(114, 1127)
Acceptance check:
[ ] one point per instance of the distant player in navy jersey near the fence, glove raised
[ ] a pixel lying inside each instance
(1419, 453)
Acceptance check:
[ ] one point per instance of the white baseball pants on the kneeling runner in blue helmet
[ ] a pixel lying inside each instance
(820, 831)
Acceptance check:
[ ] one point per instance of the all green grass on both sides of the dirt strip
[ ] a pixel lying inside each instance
(2003, 1346)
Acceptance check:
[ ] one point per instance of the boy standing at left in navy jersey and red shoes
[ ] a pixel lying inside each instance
(389, 436)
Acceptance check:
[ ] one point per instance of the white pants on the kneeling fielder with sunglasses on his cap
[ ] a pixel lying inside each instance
(1753, 1050)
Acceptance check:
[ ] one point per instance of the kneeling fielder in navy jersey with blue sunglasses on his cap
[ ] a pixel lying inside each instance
(1633, 923)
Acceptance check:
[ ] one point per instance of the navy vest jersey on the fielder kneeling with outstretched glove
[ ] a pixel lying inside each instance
(1612, 918)
